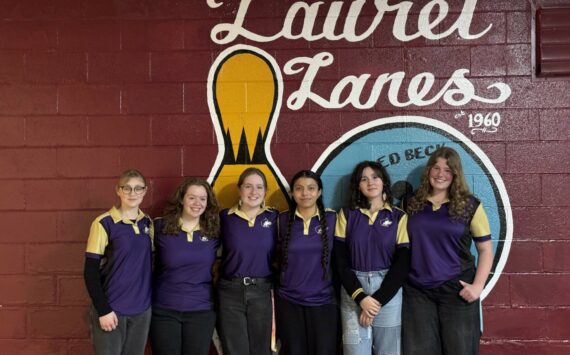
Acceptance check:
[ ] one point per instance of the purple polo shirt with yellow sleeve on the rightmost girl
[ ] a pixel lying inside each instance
(440, 245)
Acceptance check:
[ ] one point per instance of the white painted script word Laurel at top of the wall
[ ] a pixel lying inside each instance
(225, 33)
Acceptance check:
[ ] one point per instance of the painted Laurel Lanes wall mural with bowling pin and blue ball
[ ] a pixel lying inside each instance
(245, 96)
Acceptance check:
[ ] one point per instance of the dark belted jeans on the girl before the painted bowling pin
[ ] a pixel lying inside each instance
(245, 317)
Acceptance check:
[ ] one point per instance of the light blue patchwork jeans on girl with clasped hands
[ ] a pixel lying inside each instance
(383, 337)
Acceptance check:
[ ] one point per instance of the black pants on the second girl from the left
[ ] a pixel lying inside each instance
(176, 333)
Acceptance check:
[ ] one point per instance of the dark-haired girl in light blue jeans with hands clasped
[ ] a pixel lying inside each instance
(371, 249)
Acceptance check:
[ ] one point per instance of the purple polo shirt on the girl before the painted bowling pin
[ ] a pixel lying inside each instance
(248, 246)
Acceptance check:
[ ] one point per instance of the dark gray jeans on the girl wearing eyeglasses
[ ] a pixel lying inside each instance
(129, 338)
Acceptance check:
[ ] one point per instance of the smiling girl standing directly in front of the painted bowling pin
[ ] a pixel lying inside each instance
(249, 233)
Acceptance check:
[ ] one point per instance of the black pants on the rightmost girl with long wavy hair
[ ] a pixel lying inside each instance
(438, 321)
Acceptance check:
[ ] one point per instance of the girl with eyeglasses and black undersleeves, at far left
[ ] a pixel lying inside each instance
(118, 266)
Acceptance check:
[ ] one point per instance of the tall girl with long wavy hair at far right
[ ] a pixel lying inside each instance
(441, 312)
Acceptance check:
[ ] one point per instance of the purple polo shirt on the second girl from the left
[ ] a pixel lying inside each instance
(183, 270)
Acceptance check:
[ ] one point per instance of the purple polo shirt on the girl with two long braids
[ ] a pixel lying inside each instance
(304, 282)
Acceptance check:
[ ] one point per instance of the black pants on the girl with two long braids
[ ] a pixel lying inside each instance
(305, 330)
